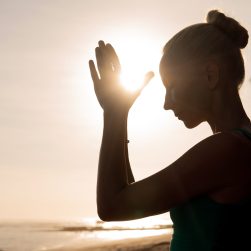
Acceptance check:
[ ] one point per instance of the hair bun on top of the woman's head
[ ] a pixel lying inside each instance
(228, 25)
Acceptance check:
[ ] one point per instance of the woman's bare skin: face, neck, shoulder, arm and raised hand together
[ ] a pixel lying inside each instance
(216, 167)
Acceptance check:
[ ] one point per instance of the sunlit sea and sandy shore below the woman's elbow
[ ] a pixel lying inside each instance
(86, 234)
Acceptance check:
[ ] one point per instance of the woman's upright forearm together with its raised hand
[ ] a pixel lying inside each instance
(114, 171)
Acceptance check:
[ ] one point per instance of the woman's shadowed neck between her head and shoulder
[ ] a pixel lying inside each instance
(227, 112)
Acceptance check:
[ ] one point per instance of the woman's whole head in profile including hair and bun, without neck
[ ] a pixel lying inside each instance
(200, 59)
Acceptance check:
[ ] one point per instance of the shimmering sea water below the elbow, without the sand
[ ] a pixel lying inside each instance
(46, 235)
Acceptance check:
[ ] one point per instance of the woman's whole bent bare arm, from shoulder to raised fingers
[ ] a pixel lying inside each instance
(208, 166)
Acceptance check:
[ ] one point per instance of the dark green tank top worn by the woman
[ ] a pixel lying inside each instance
(202, 224)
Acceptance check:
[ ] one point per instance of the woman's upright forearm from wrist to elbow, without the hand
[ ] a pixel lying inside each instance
(112, 172)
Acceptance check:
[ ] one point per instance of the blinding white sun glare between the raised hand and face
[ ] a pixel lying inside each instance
(139, 54)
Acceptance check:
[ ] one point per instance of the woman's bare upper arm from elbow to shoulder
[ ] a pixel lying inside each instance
(209, 166)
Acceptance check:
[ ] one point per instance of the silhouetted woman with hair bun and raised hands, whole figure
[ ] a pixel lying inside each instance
(208, 189)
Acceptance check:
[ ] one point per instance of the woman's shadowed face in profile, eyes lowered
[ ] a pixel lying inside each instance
(187, 93)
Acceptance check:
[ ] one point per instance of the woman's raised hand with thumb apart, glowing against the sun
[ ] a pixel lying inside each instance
(111, 95)
